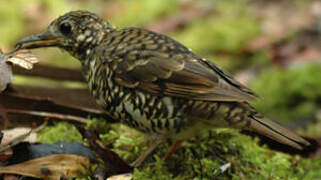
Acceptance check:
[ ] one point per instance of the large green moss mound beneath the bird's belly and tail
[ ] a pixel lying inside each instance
(202, 157)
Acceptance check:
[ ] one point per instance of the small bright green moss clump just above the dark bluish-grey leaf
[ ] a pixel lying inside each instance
(59, 132)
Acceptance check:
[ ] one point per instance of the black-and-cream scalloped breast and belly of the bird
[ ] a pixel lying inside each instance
(143, 111)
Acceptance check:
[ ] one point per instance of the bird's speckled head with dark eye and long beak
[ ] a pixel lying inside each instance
(77, 32)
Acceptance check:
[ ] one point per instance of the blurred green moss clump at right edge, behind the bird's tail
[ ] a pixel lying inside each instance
(289, 95)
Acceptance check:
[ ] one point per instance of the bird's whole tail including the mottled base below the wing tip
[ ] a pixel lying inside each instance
(256, 122)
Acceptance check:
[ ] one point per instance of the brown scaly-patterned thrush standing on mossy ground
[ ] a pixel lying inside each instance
(154, 84)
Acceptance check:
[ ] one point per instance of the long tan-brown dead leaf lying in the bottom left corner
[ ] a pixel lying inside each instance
(51, 167)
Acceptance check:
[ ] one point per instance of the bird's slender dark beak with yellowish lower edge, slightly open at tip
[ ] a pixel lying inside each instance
(45, 39)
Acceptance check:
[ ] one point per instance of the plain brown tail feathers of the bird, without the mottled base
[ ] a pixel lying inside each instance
(276, 132)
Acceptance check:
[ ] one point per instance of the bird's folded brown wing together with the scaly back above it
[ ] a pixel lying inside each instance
(165, 67)
